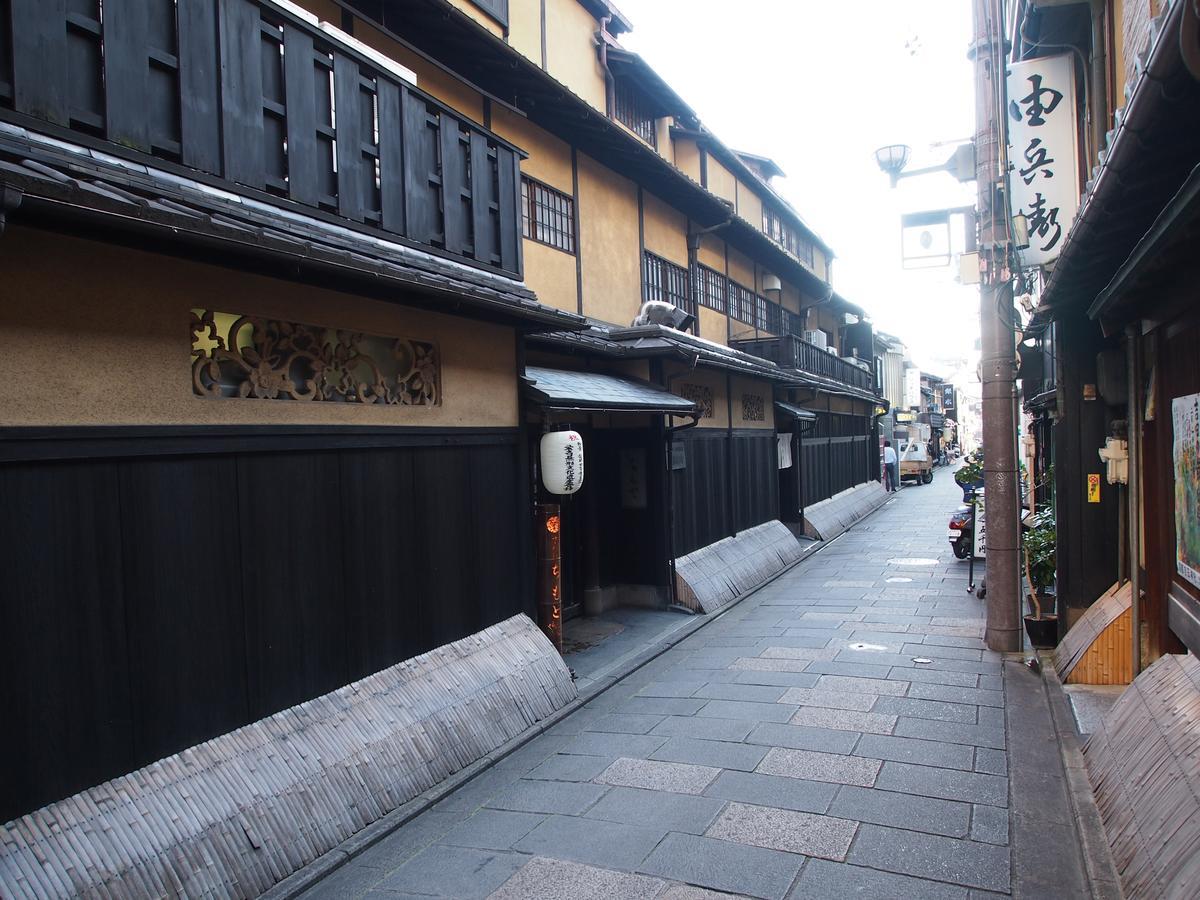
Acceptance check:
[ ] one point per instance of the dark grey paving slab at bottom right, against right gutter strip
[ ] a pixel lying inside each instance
(928, 856)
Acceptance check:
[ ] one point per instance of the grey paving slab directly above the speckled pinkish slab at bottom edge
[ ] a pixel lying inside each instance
(613, 845)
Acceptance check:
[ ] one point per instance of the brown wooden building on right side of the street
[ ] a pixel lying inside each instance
(1112, 367)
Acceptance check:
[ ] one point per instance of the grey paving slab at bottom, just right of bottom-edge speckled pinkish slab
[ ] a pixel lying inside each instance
(724, 866)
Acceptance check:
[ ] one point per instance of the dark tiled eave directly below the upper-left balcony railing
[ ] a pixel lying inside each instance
(58, 184)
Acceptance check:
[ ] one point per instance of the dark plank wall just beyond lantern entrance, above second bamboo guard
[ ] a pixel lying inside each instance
(703, 491)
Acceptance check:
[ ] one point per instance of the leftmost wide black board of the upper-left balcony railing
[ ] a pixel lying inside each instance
(40, 59)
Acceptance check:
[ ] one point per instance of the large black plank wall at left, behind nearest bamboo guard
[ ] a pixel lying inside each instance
(154, 602)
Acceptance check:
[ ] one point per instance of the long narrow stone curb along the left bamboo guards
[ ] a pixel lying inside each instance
(329, 862)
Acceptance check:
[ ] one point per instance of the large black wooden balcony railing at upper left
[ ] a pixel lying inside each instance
(245, 92)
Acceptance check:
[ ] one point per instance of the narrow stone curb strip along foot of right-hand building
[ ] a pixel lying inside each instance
(1102, 875)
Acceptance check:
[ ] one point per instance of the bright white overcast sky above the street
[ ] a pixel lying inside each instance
(818, 86)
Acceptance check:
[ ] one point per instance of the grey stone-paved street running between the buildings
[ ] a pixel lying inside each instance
(839, 734)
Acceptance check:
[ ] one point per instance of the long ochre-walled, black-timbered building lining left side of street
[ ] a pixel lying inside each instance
(292, 291)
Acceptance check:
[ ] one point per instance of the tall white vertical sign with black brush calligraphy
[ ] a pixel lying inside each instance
(1042, 136)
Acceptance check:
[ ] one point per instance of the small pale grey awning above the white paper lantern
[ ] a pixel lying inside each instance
(561, 389)
